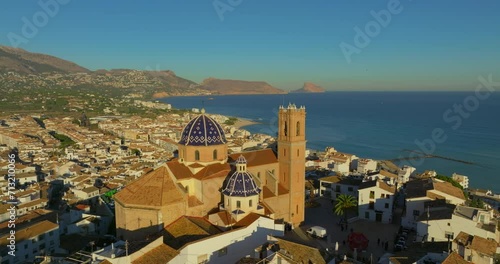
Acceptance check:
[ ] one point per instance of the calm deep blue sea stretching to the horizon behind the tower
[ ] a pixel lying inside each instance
(382, 125)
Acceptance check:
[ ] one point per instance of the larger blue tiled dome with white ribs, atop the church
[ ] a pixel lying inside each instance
(202, 131)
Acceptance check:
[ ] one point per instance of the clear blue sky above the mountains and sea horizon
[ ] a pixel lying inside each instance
(428, 45)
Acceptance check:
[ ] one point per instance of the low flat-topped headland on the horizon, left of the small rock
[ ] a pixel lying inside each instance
(219, 86)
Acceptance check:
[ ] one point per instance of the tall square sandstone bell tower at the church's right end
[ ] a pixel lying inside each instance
(291, 158)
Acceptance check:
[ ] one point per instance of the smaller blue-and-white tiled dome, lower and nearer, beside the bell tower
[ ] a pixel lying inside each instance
(241, 184)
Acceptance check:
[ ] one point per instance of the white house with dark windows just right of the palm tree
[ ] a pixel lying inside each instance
(376, 199)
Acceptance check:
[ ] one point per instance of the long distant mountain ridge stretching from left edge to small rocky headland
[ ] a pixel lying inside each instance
(41, 71)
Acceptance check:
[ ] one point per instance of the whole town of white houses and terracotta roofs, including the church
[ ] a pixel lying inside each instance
(194, 187)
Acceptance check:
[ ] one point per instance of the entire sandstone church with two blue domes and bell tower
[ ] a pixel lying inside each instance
(204, 181)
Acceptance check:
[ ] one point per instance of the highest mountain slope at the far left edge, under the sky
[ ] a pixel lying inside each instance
(21, 61)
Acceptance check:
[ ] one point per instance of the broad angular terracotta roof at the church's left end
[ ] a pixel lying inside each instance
(153, 189)
